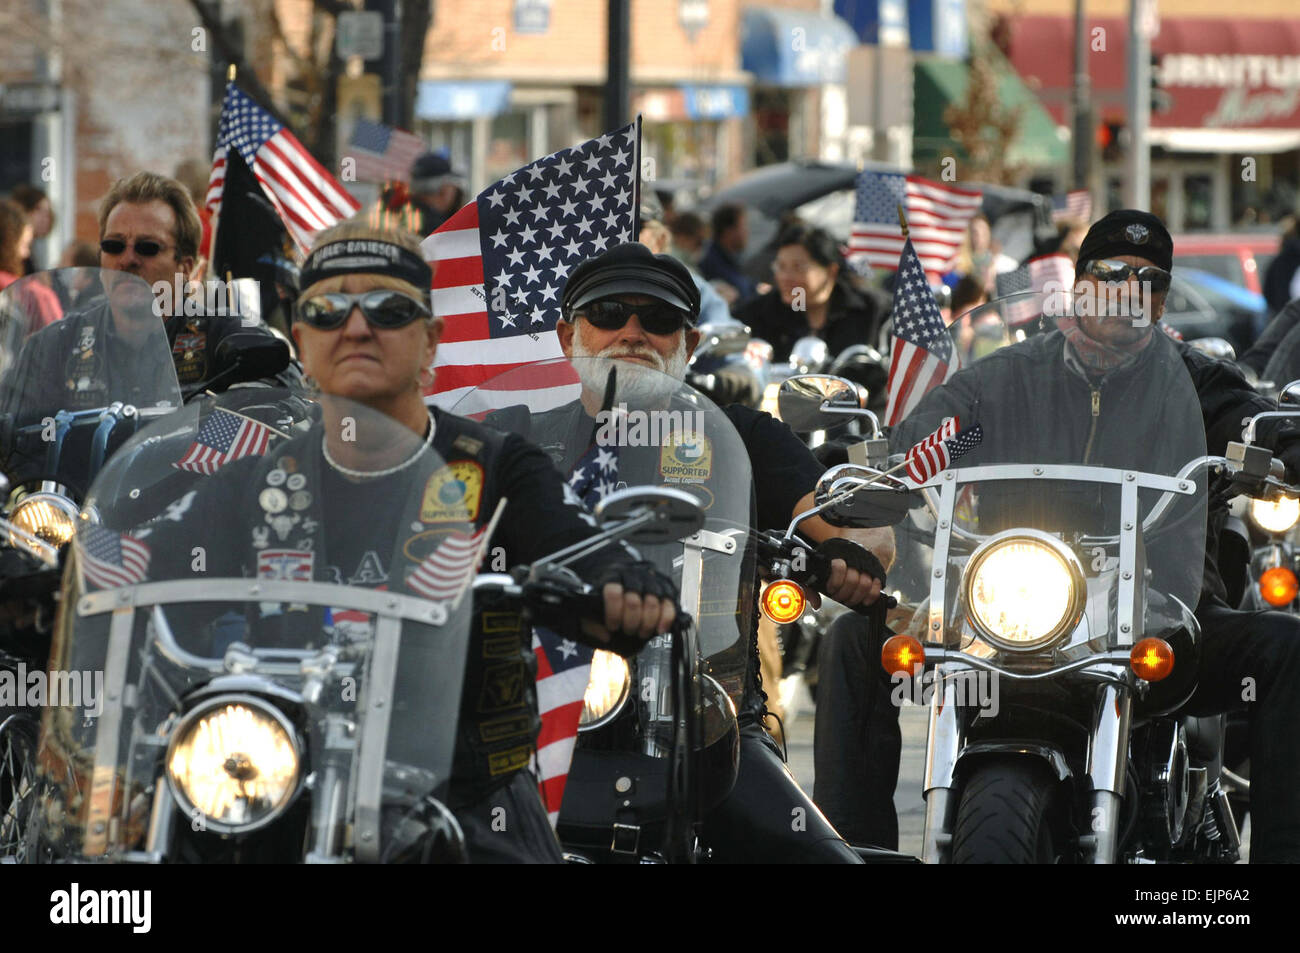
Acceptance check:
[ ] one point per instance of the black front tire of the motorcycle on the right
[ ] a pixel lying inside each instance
(1007, 816)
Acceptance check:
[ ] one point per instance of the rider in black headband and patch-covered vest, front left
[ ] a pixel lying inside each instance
(365, 332)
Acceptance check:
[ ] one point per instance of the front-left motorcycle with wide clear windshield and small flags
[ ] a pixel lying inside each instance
(257, 714)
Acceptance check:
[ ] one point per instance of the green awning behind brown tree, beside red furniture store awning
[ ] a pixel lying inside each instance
(942, 83)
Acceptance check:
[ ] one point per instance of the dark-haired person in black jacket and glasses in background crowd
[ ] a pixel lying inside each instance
(816, 296)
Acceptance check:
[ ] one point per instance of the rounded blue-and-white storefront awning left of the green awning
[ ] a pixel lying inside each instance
(794, 47)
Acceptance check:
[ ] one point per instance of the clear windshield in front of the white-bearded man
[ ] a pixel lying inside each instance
(648, 430)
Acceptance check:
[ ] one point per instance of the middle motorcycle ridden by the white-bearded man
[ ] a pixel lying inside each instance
(610, 426)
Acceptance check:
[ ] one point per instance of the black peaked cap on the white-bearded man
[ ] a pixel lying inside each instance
(631, 268)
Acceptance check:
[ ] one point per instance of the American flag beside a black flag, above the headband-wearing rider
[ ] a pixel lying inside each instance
(305, 194)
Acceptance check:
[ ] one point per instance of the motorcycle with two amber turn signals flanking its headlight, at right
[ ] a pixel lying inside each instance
(1052, 636)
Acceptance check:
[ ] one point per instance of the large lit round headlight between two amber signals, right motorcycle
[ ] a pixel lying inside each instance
(1024, 591)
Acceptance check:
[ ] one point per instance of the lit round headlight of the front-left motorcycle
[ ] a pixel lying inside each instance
(235, 760)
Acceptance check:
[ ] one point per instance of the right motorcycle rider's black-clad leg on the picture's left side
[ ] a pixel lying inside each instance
(857, 742)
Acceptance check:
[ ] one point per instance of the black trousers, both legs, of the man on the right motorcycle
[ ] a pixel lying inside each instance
(1250, 662)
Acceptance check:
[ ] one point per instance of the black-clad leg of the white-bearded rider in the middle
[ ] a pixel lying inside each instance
(768, 818)
